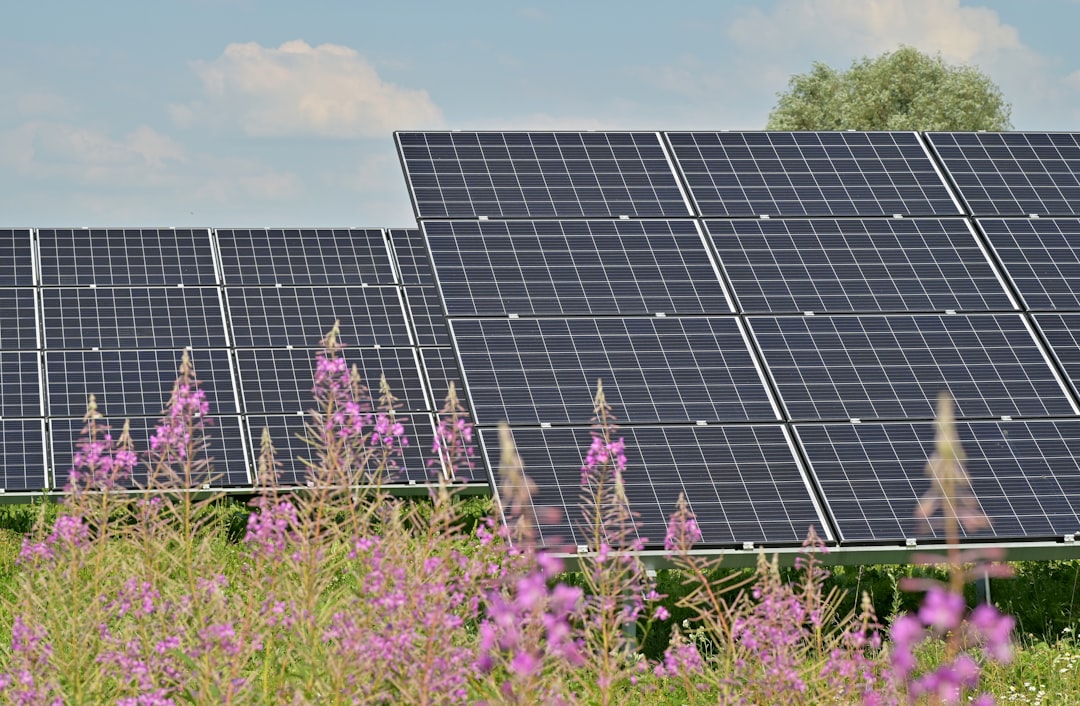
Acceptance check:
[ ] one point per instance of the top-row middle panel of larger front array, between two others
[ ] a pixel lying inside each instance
(811, 174)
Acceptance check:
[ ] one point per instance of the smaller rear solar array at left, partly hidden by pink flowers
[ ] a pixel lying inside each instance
(106, 313)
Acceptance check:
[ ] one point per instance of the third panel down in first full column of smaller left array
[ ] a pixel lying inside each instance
(132, 384)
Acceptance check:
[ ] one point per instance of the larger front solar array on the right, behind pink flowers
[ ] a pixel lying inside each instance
(773, 317)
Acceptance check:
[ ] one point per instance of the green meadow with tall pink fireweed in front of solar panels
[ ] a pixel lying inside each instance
(342, 594)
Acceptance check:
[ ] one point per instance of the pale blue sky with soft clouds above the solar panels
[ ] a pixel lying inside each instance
(281, 114)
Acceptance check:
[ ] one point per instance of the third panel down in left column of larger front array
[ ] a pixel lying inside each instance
(654, 370)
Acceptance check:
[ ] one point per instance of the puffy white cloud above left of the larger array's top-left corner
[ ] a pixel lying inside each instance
(329, 91)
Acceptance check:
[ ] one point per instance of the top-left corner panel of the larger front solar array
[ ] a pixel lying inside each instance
(541, 175)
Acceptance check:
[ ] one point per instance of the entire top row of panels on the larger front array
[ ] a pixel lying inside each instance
(681, 174)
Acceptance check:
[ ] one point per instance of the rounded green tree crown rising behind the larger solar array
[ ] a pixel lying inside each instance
(901, 90)
